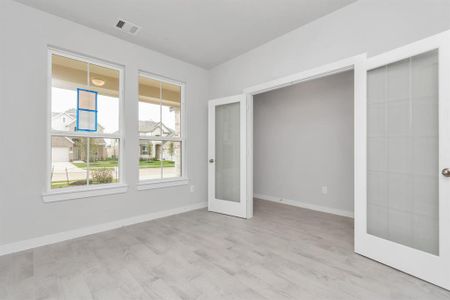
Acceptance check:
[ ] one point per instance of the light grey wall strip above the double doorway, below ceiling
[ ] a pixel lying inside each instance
(372, 26)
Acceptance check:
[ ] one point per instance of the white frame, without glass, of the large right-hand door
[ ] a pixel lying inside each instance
(435, 269)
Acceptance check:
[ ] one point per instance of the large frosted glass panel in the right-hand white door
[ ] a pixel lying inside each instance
(402, 152)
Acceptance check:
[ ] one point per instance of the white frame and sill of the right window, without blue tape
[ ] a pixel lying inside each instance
(166, 182)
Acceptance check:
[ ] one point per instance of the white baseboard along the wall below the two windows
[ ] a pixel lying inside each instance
(72, 234)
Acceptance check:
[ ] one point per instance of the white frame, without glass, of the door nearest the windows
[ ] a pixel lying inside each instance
(243, 208)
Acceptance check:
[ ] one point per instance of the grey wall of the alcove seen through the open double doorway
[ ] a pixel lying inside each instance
(303, 140)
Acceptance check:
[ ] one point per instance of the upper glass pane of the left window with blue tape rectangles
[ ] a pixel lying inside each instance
(71, 75)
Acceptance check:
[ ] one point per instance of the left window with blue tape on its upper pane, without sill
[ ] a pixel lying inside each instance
(85, 133)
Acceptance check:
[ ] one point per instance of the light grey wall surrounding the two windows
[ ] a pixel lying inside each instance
(25, 34)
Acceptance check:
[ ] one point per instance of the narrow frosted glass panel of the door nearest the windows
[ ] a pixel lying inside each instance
(227, 158)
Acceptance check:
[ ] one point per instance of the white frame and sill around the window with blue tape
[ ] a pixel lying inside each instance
(53, 195)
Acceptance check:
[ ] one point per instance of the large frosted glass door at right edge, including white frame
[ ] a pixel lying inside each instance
(402, 159)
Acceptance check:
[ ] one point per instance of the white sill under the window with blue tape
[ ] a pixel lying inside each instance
(62, 195)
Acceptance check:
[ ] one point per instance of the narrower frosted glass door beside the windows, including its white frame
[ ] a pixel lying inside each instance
(228, 189)
